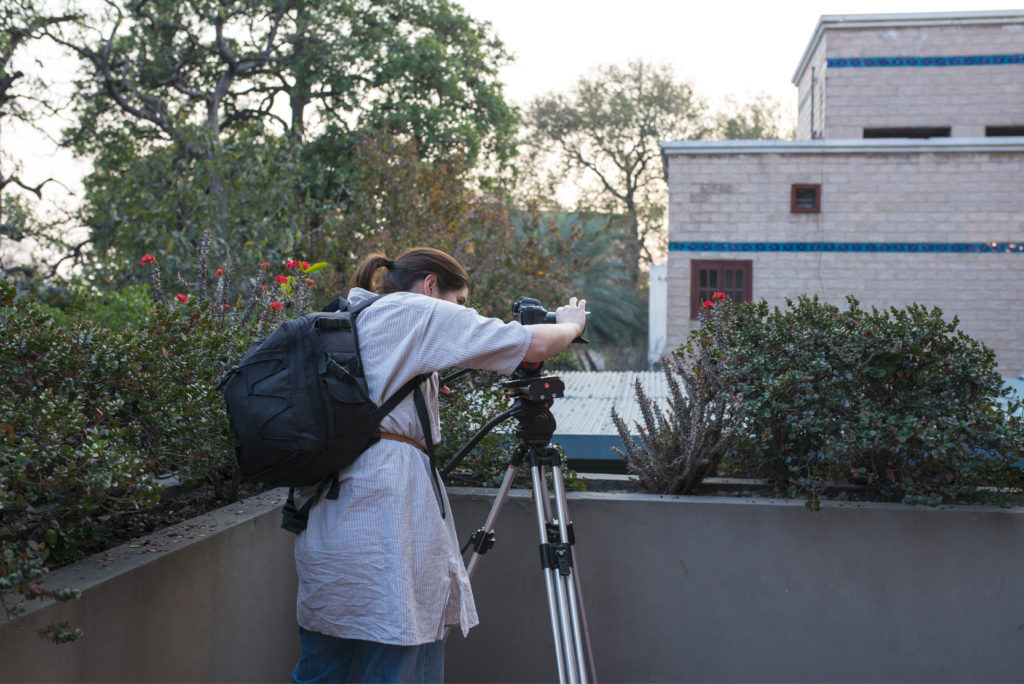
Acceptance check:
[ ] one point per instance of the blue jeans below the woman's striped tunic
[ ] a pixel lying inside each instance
(327, 659)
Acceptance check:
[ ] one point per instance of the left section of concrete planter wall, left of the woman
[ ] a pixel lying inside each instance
(211, 601)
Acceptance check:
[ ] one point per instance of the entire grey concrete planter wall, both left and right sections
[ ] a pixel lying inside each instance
(676, 589)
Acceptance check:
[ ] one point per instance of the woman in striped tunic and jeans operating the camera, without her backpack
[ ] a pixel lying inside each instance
(380, 572)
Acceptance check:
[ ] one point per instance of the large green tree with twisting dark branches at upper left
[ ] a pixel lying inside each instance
(240, 116)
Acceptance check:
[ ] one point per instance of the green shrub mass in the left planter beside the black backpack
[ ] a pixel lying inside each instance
(96, 413)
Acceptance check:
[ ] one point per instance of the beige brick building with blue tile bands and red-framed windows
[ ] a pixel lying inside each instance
(906, 184)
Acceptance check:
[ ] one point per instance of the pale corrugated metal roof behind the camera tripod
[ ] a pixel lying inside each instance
(586, 409)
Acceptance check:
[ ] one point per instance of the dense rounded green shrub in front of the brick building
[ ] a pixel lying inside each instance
(899, 401)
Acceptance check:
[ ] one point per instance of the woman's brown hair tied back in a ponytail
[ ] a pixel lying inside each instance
(411, 267)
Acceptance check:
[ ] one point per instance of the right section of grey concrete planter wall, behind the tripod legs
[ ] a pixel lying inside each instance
(681, 589)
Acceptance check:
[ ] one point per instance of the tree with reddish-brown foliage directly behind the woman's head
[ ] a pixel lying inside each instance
(402, 201)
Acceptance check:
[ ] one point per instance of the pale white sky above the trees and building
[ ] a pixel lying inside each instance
(723, 49)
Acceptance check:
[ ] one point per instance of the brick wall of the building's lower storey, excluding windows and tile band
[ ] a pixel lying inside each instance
(930, 197)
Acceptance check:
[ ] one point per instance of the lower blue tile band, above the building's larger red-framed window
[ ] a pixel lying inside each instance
(873, 248)
